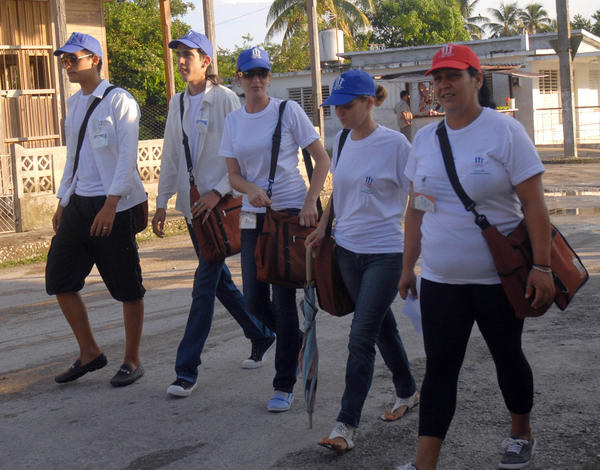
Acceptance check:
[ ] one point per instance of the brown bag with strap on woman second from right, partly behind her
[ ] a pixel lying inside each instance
(331, 290)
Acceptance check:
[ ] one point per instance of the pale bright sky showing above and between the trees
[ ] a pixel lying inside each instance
(236, 18)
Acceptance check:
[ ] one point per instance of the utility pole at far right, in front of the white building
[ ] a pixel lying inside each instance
(565, 58)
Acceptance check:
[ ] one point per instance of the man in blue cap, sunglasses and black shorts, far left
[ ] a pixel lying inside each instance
(94, 217)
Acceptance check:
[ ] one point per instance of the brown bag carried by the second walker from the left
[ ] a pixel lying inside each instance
(219, 236)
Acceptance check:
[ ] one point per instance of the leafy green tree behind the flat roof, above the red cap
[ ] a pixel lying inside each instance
(417, 22)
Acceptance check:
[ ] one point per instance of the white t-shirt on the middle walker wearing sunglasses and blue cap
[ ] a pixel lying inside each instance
(248, 138)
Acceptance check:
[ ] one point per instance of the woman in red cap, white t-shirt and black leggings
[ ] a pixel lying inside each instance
(499, 168)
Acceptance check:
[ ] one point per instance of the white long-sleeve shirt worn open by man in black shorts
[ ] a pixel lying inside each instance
(112, 132)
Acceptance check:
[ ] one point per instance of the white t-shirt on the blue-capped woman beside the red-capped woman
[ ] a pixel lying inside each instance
(370, 192)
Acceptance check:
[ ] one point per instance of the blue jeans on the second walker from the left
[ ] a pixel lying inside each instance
(212, 279)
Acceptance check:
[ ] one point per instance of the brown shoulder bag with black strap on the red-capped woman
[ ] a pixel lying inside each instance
(513, 255)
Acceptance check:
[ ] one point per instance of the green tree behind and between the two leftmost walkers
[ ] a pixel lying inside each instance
(135, 55)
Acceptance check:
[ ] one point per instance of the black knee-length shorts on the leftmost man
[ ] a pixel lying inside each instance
(73, 252)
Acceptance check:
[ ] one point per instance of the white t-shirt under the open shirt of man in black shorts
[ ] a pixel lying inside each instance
(89, 182)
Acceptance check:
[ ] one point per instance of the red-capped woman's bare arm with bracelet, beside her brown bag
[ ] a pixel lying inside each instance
(539, 284)
